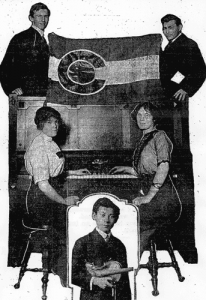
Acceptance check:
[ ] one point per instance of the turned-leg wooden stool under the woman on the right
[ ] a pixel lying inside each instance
(161, 238)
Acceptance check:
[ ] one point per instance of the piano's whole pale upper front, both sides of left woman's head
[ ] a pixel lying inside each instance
(94, 127)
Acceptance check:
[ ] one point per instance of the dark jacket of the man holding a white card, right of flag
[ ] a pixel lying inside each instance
(182, 55)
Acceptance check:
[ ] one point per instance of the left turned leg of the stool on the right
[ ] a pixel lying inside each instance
(153, 269)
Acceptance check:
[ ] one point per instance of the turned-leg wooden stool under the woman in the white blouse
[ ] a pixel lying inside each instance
(37, 241)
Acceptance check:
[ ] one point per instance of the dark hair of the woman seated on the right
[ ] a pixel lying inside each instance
(148, 106)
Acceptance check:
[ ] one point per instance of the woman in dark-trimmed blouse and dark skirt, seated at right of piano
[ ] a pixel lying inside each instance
(157, 199)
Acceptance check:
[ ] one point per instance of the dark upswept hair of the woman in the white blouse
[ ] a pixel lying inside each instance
(43, 114)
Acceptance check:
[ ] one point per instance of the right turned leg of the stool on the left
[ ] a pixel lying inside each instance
(45, 266)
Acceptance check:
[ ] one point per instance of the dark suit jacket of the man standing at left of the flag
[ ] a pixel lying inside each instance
(25, 64)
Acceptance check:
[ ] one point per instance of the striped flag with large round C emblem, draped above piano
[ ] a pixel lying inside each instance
(104, 71)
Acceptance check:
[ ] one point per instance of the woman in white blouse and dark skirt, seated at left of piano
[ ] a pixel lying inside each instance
(46, 203)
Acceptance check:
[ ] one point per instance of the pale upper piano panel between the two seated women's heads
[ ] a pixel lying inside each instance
(96, 127)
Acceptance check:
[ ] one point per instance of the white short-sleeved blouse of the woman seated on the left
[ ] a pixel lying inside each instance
(42, 160)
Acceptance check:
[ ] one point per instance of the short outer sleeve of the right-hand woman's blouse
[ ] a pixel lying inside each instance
(163, 146)
